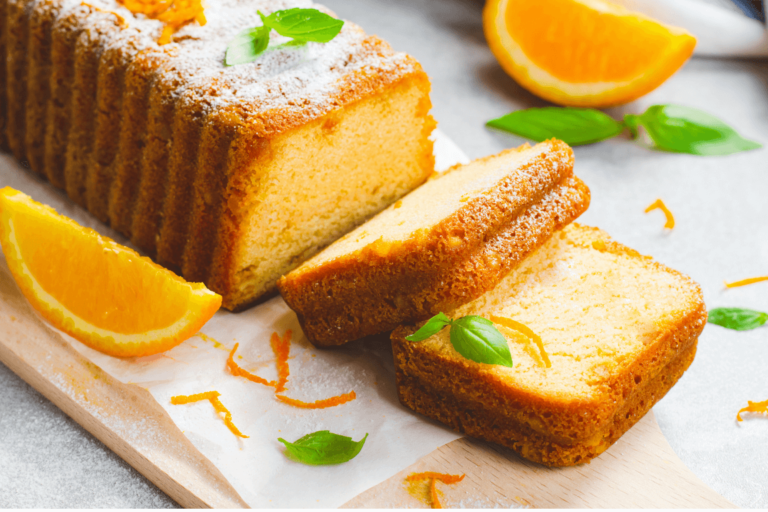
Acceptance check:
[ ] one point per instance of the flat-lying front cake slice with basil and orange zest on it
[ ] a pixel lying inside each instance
(617, 329)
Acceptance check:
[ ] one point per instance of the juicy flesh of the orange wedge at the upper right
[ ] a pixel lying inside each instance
(597, 40)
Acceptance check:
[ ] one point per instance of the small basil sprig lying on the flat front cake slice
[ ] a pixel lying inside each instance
(474, 337)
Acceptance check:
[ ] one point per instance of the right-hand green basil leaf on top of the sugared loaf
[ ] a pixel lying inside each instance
(303, 24)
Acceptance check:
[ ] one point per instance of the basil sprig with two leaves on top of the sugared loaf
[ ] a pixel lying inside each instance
(302, 25)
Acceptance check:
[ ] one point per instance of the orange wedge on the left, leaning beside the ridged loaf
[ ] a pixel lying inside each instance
(94, 289)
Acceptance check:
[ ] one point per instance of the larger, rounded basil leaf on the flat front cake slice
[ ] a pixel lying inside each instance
(475, 338)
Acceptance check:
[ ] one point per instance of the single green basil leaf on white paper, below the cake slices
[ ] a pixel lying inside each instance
(322, 448)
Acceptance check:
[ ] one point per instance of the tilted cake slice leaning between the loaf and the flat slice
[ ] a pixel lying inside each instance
(443, 245)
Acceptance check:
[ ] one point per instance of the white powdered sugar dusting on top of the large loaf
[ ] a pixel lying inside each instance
(306, 78)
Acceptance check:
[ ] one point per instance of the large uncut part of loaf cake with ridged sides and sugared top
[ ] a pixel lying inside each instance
(229, 175)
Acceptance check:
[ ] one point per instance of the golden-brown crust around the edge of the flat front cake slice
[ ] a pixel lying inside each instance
(536, 413)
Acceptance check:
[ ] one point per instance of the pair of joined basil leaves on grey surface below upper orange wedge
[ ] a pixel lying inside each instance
(673, 128)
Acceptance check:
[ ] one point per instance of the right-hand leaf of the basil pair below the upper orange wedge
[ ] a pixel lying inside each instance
(688, 130)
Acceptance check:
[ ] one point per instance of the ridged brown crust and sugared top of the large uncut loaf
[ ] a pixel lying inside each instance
(151, 138)
